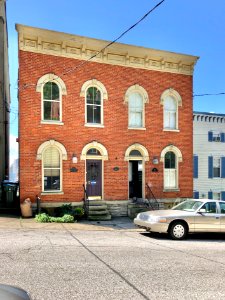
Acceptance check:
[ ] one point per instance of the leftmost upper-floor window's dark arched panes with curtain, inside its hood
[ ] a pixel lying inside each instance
(51, 102)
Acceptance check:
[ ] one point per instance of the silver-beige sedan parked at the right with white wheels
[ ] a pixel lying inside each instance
(188, 216)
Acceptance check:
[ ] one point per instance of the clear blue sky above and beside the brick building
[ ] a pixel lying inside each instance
(184, 26)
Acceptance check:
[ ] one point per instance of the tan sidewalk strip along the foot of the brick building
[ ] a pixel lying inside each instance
(117, 223)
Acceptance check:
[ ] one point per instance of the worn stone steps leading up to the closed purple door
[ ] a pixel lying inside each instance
(98, 211)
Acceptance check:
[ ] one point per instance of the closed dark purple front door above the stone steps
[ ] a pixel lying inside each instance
(94, 178)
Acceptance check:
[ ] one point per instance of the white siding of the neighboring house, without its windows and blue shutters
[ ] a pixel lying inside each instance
(204, 123)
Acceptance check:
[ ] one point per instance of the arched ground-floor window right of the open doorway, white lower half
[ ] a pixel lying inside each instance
(170, 171)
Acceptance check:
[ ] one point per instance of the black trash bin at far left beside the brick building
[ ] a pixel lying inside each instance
(10, 194)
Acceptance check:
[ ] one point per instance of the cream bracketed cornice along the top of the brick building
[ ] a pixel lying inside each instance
(73, 46)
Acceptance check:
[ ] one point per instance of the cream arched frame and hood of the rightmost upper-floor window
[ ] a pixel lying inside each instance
(178, 100)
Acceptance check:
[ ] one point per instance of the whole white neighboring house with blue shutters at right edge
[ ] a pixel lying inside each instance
(209, 155)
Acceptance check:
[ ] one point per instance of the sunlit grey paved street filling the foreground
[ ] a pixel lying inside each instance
(110, 261)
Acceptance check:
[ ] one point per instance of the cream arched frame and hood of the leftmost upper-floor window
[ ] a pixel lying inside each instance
(62, 91)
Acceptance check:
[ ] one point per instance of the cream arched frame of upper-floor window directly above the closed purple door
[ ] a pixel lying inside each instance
(104, 96)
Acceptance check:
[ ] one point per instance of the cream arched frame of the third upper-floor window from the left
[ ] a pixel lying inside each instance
(145, 99)
